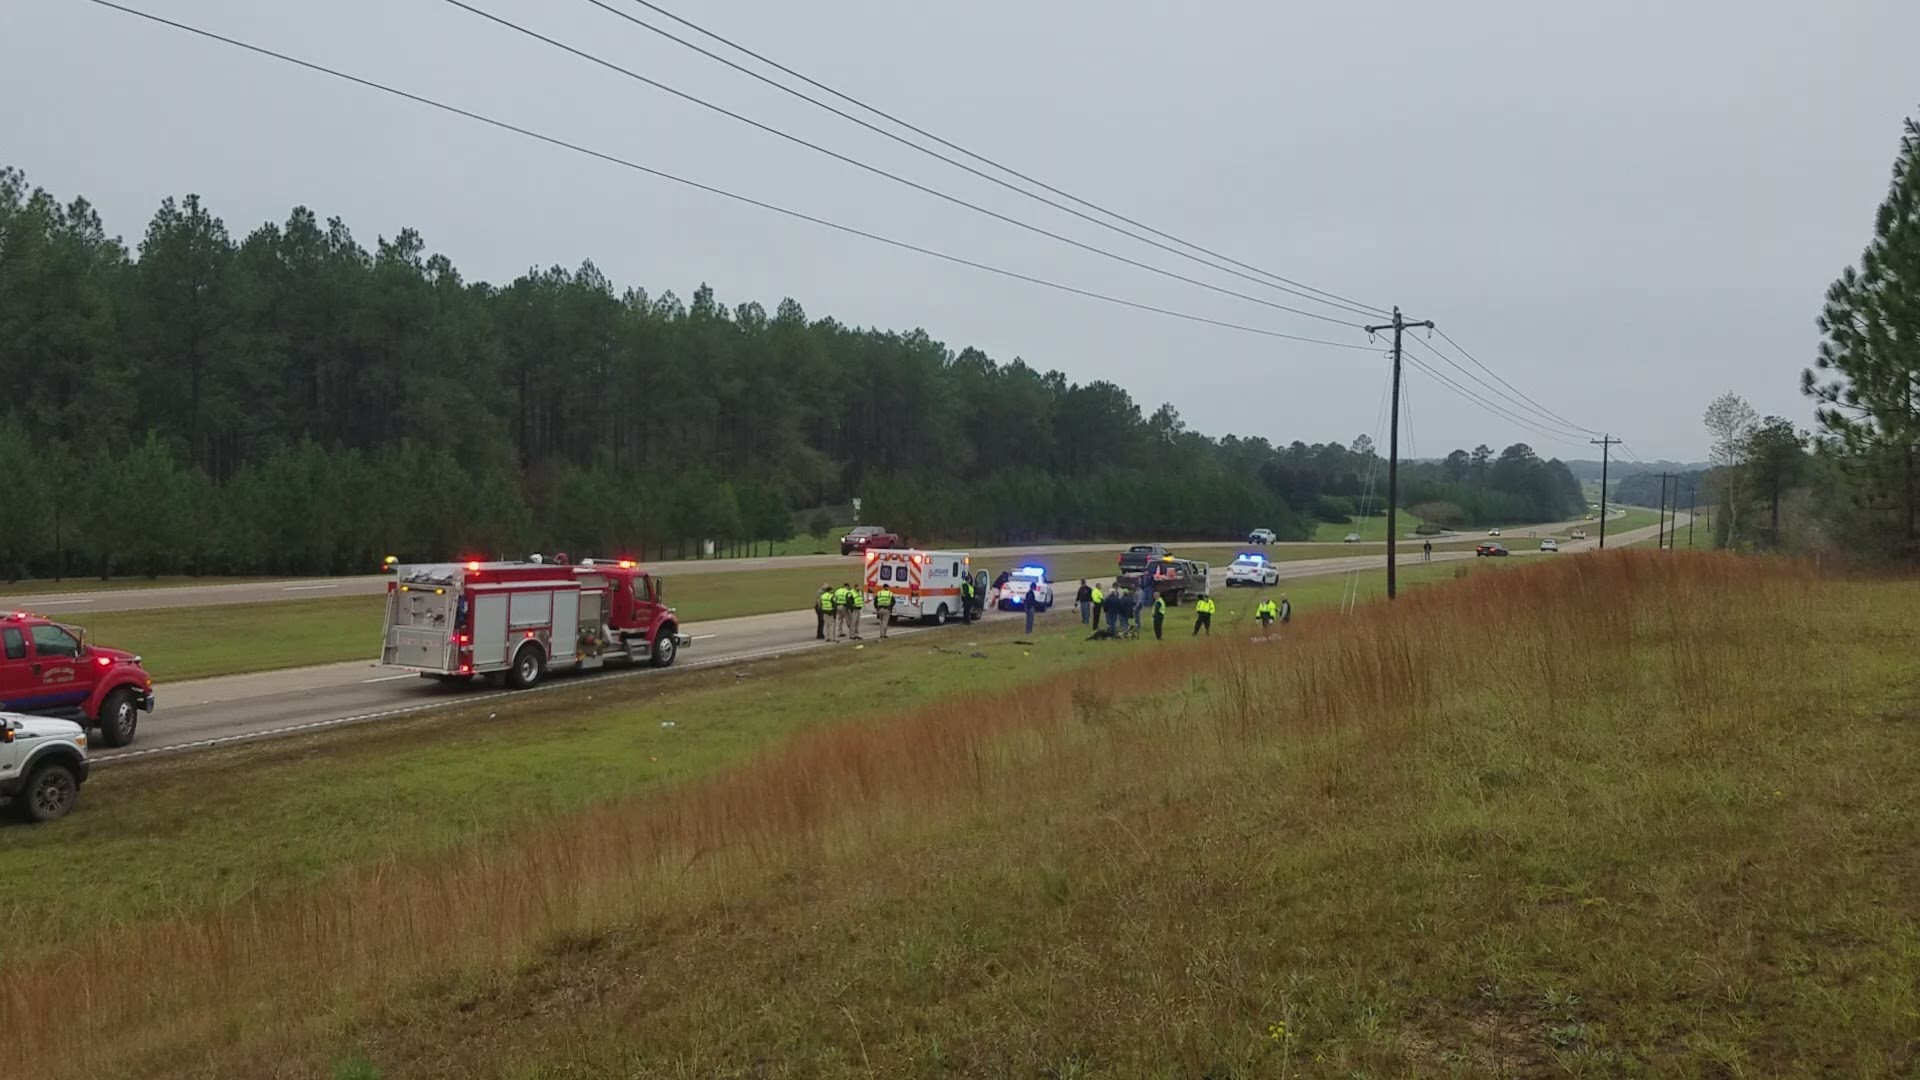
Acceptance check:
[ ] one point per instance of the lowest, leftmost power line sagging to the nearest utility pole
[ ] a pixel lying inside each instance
(709, 189)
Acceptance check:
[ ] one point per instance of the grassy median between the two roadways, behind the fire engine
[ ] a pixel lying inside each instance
(199, 643)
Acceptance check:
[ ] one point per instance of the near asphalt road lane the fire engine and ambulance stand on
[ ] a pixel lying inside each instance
(243, 708)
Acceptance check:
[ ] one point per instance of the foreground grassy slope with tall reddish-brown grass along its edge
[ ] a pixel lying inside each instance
(1666, 831)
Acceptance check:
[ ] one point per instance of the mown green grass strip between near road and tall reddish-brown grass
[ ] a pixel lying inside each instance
(300, 810)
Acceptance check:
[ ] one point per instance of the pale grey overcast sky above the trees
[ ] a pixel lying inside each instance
(1623, 209)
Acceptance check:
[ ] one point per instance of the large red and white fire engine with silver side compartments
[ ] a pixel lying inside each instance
(519, 622)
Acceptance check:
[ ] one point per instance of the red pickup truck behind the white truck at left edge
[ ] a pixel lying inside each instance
(51, 670)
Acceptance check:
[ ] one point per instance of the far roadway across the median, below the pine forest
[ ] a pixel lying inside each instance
(84, 602)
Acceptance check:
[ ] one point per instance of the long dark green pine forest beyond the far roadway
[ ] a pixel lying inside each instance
(297, 403)
